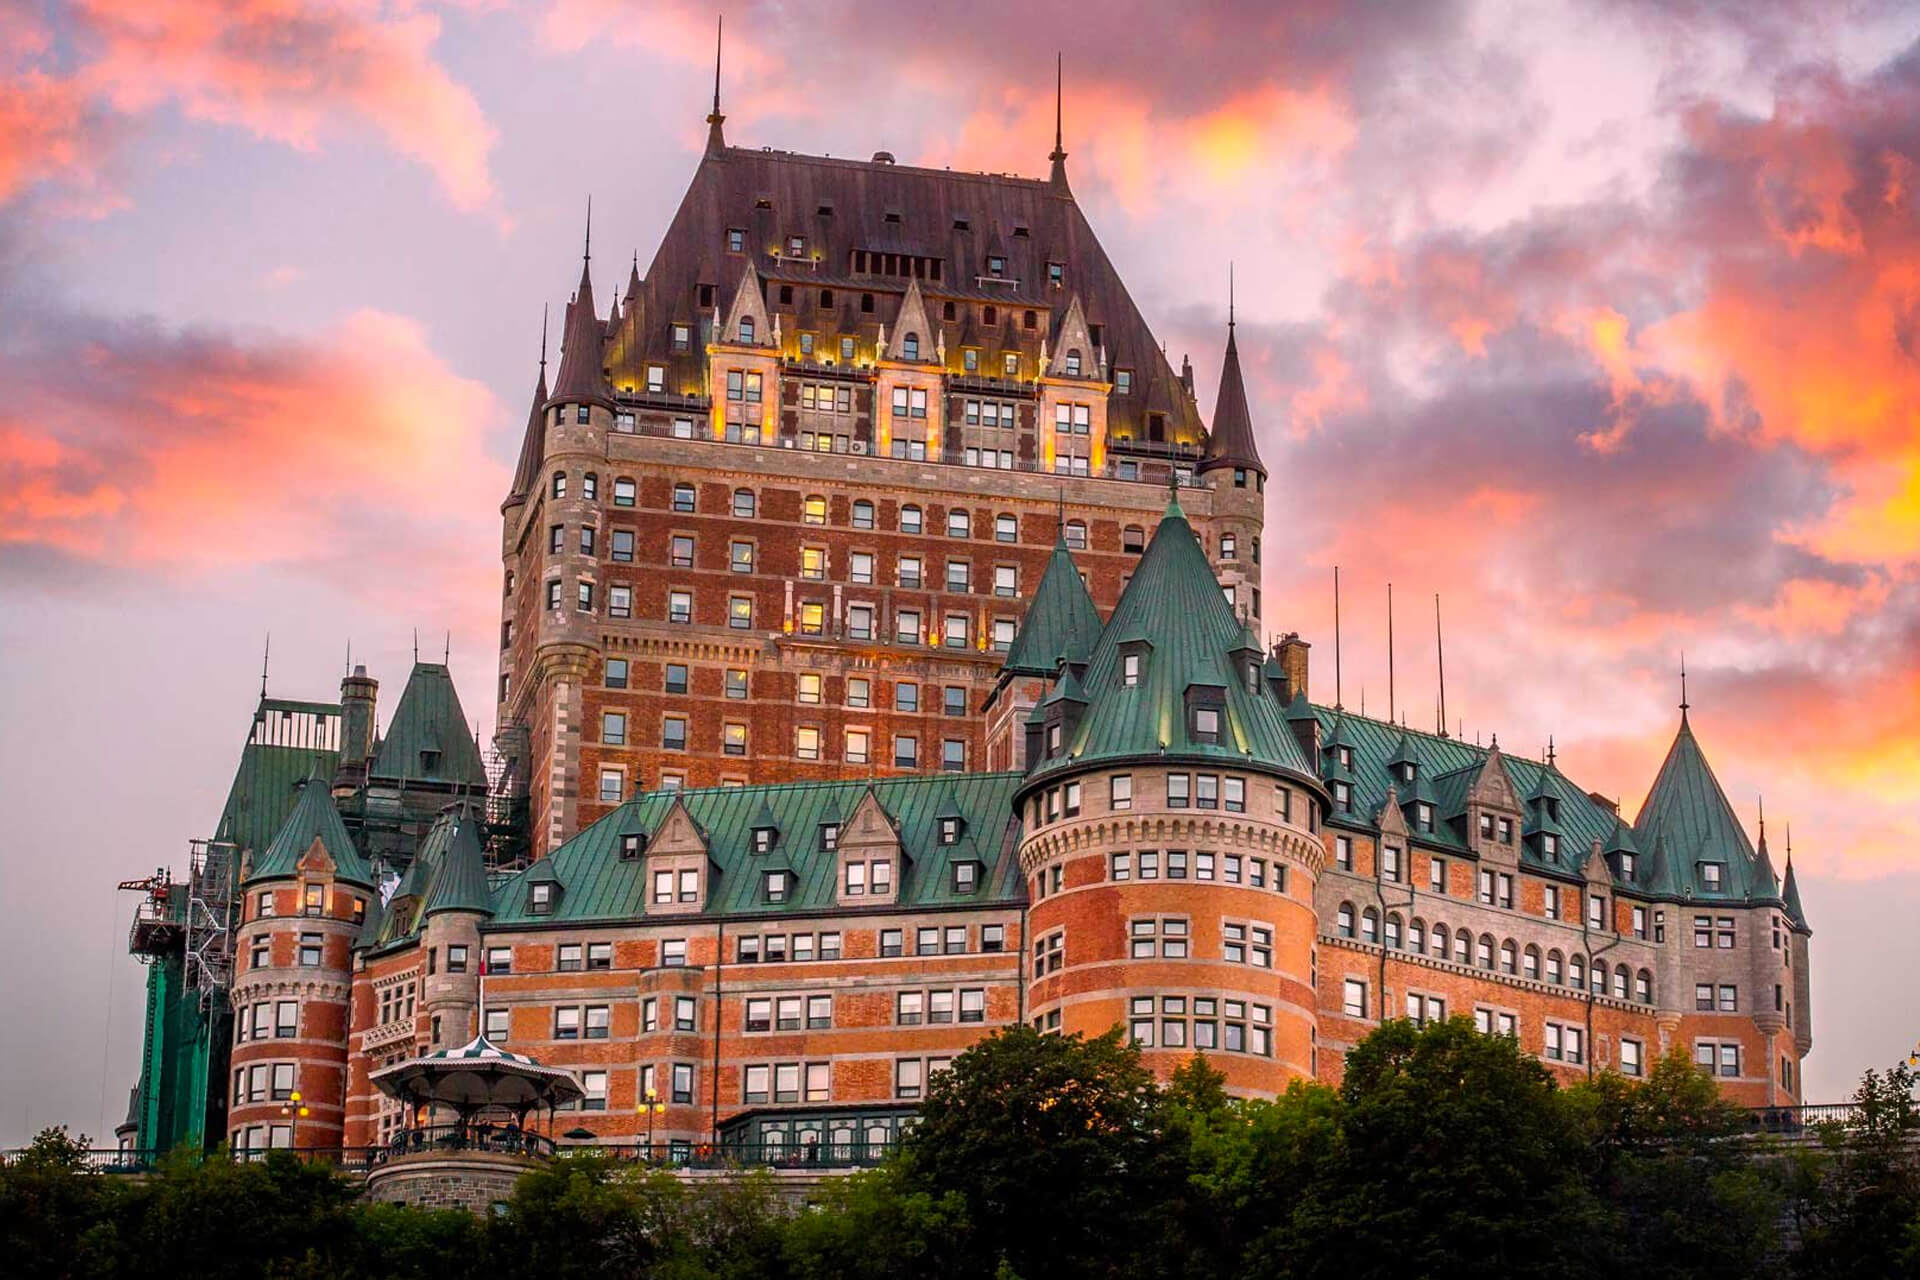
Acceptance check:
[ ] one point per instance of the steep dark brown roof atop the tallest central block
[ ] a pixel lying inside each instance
(848, 206)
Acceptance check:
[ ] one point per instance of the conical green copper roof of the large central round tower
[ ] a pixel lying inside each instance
(1176, 617)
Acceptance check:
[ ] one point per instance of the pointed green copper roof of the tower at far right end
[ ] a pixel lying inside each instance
(1691, 822)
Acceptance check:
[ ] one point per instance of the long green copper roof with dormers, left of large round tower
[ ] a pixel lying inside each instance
(596, 886)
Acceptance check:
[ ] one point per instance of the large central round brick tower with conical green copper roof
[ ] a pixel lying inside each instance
(1170, 838)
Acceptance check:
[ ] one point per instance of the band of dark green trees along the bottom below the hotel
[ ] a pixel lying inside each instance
(1443, 1152)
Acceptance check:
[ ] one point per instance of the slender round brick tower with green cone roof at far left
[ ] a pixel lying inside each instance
(302, 907)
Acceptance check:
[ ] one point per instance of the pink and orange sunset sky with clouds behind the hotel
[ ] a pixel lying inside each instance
(1602, 321)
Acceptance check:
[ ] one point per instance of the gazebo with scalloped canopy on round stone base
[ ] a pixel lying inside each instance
(473, 1160)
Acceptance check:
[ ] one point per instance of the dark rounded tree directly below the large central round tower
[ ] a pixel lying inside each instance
(1051, 1145)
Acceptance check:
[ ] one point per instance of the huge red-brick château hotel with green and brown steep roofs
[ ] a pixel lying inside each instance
(882, 663)
